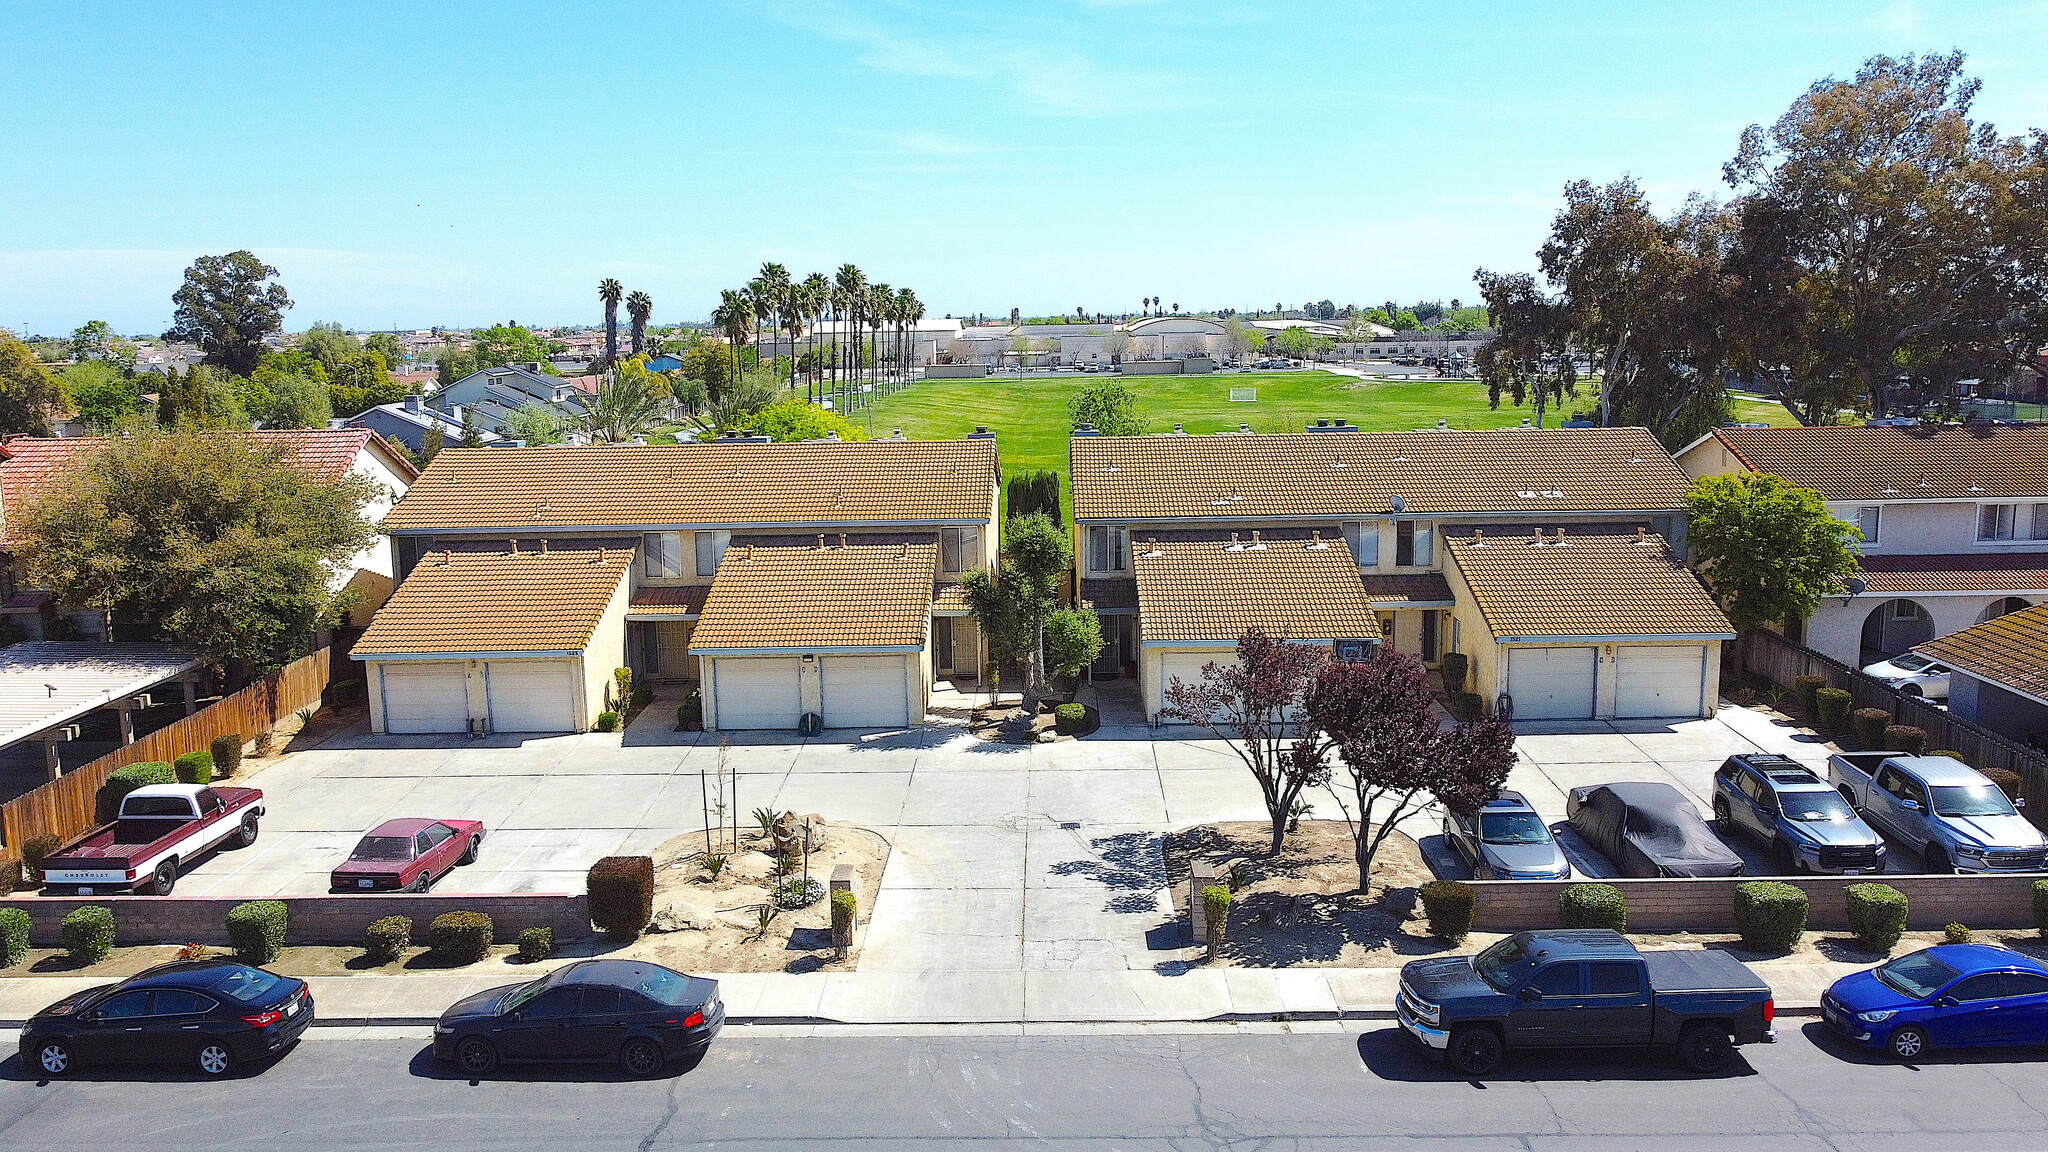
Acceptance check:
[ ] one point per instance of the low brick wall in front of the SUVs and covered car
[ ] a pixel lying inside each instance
(1709, 905)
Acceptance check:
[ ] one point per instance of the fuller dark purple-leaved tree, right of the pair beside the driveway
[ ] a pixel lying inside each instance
(1375, 714)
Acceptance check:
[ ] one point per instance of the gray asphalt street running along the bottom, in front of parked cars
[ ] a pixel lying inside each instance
(1357, 1085)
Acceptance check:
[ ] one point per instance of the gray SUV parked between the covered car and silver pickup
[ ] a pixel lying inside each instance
(1807, 825)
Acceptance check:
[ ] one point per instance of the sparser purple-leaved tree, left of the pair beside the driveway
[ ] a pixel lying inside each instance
(1250, 706)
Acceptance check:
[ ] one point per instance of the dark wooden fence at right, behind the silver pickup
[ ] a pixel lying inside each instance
(1781, 661)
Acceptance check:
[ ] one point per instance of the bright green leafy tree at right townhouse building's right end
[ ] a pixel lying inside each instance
(1768, 550)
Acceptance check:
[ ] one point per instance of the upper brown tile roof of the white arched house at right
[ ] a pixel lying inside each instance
(1902, 464)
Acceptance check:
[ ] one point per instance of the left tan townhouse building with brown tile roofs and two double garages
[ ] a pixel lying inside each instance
(783, 581)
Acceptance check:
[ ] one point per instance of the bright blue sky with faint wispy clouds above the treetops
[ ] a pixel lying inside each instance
(437, 163)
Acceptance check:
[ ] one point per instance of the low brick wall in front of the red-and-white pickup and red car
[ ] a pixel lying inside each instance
(312, 919)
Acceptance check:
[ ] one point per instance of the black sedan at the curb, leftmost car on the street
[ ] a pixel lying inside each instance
(208, 1014)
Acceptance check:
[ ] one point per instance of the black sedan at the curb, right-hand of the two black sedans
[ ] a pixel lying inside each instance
(628, 1012)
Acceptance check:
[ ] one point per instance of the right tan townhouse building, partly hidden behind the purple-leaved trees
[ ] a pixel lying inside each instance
(1447, 540)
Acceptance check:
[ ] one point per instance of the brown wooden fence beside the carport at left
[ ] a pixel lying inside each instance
(67, 805)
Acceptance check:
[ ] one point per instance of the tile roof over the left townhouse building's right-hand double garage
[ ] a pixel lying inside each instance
(861, 595)
